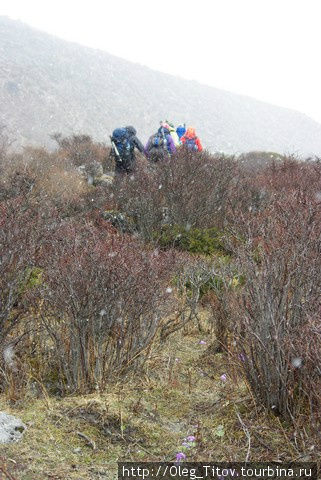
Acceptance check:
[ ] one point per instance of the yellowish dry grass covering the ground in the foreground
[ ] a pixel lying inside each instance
(147, 418)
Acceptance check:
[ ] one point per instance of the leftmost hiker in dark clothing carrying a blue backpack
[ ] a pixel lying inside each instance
(124, 142)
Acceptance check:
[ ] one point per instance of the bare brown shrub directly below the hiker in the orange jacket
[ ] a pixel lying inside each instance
(193, 190)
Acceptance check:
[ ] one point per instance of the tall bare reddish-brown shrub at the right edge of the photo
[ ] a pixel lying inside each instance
(278, 251)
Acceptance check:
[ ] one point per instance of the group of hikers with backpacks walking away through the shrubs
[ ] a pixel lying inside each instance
(160, 145)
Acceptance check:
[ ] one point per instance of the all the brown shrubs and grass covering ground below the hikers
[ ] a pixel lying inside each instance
(200, 319)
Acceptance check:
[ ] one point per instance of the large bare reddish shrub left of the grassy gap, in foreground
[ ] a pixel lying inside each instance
(104, 299)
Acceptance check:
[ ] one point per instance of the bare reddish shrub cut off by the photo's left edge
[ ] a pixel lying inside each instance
(22, 230)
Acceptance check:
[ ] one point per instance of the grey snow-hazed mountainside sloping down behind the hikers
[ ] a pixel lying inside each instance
(49, 85)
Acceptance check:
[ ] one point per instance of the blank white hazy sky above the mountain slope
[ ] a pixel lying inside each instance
(268, 49)
